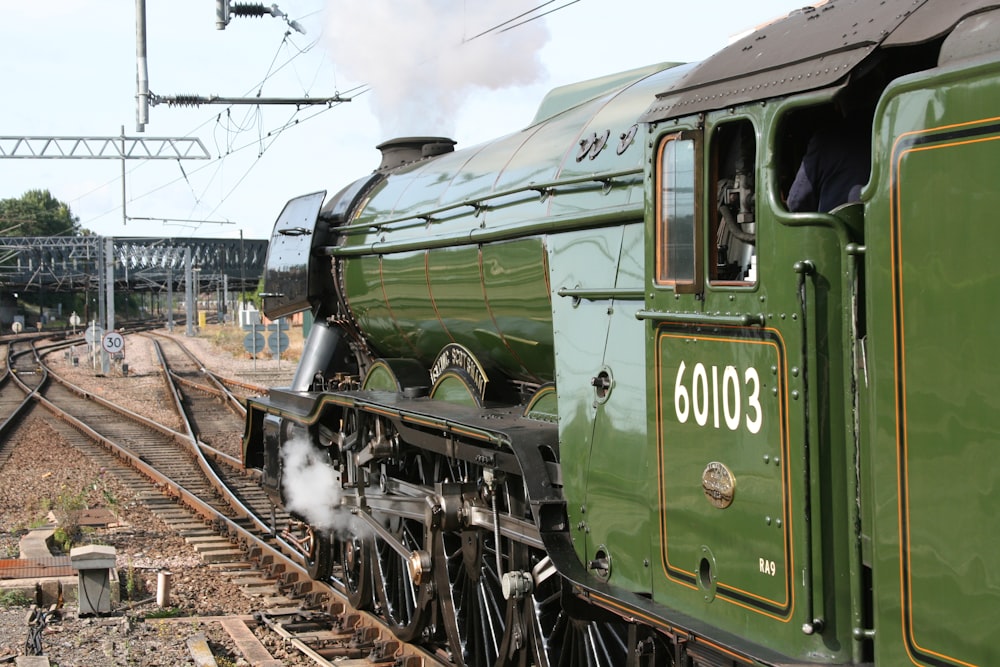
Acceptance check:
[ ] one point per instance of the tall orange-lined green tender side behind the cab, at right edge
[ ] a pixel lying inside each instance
(935, 392)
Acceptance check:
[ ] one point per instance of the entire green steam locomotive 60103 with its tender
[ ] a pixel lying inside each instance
(591, 394)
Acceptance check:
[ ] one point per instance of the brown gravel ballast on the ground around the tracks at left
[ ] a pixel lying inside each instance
(47, 474)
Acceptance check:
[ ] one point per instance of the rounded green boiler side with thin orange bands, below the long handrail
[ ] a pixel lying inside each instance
(495, 302)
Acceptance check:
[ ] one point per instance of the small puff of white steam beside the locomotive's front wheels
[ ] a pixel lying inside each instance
(312, 486)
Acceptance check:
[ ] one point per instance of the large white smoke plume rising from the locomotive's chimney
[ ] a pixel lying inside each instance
(424, 58)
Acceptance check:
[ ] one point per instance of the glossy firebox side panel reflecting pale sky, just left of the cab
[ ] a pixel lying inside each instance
(604, 446)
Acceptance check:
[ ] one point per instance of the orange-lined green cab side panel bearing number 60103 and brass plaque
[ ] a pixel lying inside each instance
(725, 505)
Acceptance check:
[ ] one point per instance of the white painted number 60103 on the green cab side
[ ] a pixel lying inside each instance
(720, 396)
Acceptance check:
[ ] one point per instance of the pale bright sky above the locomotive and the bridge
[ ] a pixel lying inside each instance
(409, 67)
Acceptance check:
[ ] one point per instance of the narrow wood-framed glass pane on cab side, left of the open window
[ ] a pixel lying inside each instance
(677, 256)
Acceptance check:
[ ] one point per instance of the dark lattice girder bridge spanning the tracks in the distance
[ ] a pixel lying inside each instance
(105, 266)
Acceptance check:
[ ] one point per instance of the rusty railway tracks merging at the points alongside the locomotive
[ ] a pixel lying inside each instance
(193, 480)
